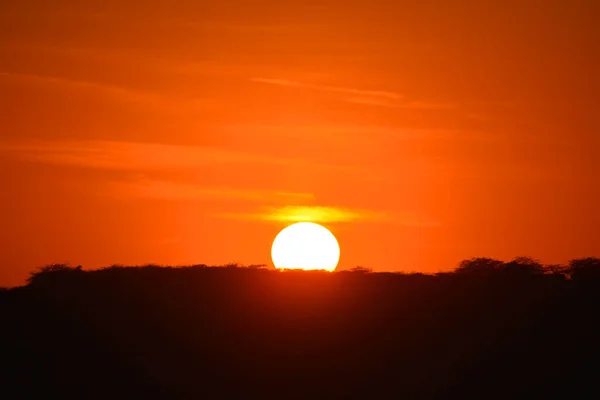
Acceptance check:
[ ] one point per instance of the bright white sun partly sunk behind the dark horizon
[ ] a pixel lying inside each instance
(305, 245)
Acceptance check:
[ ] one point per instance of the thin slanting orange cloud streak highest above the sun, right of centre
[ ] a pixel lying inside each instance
(380, 98)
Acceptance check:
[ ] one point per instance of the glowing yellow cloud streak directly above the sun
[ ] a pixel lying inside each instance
(327, 214)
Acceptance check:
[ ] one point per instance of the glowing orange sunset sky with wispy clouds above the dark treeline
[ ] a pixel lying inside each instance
(420, 132)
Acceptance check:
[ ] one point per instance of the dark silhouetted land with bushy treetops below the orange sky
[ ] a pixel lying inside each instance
(487, 330)
